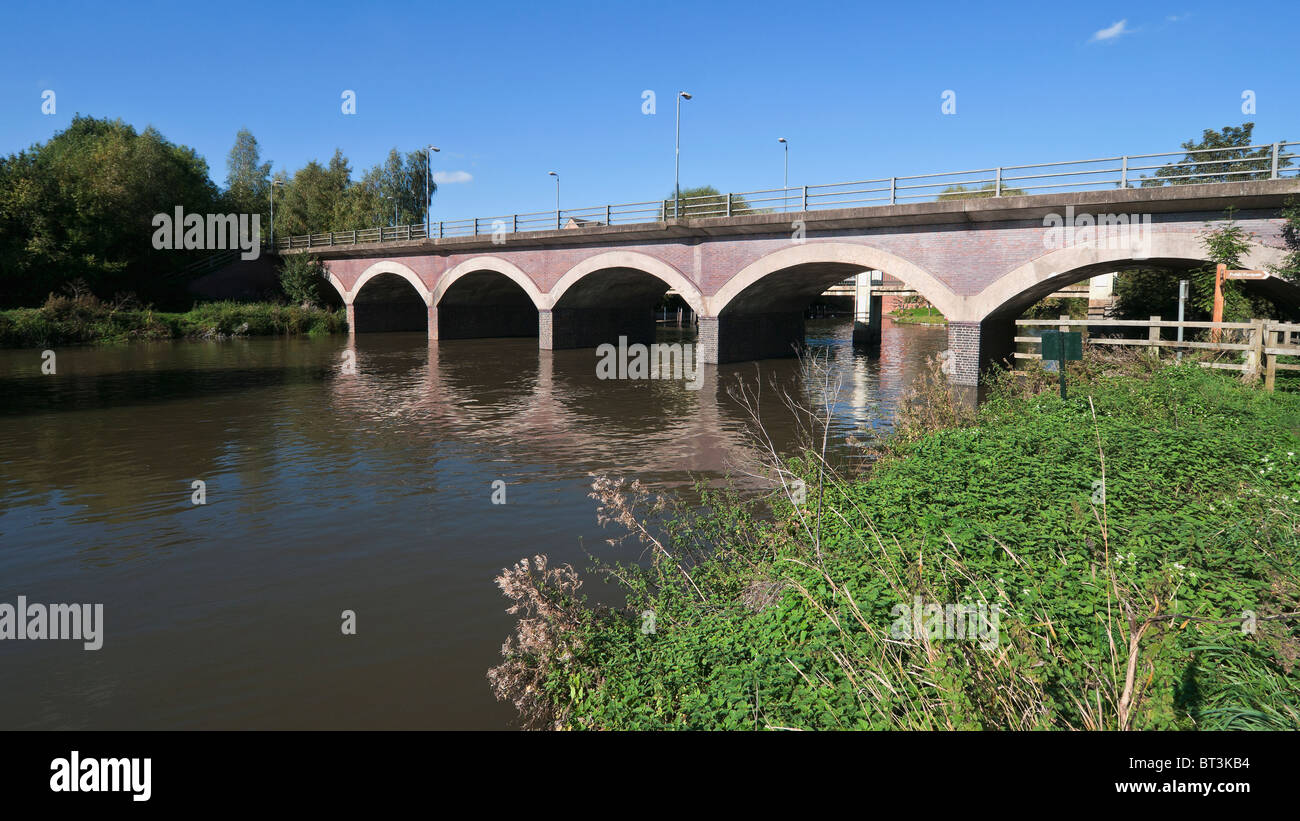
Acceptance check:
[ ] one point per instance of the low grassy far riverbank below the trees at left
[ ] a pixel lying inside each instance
(86, 320)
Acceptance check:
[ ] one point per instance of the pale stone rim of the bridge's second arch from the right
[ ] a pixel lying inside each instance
(747, 289)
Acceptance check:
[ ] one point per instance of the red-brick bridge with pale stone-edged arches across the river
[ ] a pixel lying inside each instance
(981, 262)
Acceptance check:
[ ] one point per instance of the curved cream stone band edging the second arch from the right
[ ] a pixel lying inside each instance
(837, 254)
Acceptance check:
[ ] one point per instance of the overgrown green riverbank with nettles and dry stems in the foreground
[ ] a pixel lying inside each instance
(1125, 559)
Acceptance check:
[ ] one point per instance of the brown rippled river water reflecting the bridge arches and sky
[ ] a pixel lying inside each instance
(328, 492)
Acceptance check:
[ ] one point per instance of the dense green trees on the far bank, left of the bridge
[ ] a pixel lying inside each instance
(80, 208)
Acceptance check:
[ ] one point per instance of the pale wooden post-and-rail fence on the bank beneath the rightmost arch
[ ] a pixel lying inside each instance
(1262, 342)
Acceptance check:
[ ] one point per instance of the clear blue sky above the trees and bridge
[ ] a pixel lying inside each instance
(512, 92)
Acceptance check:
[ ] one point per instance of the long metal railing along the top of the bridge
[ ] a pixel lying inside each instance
(1123, 172)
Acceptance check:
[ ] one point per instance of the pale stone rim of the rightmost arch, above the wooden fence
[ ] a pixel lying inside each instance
(1021, 288)
